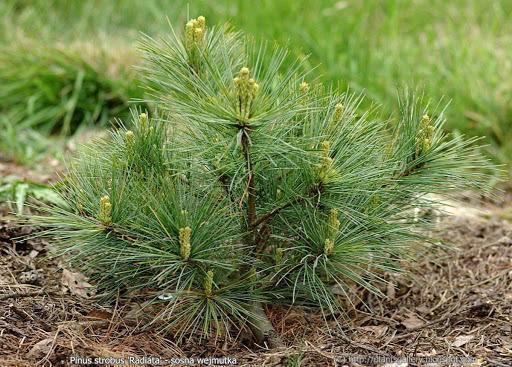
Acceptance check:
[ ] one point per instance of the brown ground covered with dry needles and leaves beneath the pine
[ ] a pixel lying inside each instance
(453, 303)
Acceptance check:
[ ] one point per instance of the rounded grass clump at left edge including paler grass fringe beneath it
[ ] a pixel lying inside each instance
(51, 90)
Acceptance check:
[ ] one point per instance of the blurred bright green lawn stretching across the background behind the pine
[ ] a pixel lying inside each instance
(460, 50)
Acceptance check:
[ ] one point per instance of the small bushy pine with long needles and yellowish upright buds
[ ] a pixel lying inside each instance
(249, 186)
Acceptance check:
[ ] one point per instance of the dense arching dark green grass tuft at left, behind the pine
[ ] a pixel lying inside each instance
(55, 91)
